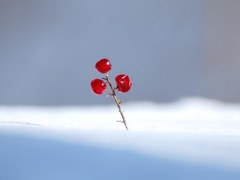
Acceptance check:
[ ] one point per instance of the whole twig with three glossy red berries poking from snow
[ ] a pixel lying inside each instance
(99, 86)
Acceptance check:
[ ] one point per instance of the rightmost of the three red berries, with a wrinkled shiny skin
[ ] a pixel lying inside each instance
(123, 82)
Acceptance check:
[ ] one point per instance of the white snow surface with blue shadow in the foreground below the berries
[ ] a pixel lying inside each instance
(192, 138)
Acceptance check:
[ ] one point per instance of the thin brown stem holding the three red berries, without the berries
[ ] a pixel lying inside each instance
(117, 101)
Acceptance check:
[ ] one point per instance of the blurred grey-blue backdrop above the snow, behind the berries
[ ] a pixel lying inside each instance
(171, 49)
